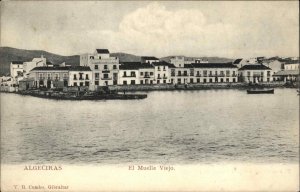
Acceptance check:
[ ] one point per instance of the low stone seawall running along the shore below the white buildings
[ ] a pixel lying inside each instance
(190, 86)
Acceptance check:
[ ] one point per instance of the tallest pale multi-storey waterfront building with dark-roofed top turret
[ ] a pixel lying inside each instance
(104, 67)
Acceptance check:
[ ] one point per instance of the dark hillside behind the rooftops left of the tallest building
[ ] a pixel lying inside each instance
(8, 54)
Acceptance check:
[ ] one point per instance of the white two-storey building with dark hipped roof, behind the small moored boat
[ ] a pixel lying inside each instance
(255, 73)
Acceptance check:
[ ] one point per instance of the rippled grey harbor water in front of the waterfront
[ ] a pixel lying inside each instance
(182, 127)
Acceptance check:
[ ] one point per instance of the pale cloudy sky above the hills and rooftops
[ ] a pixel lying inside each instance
(230, 29)
